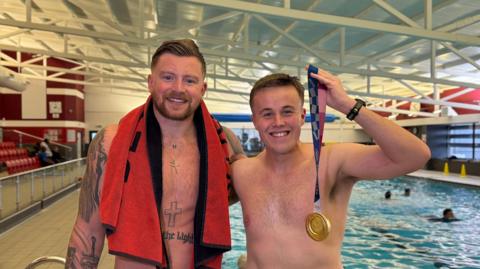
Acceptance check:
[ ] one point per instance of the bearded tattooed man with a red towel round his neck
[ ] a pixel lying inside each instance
(156, 184)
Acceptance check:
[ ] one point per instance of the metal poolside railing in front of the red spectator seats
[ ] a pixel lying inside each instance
(22, 190)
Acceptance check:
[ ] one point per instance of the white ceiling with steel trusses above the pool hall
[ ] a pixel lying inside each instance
(383, 50)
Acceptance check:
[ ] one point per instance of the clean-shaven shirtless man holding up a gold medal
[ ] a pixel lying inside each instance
(277, 187)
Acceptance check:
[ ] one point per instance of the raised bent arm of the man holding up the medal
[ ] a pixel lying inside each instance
(397, 151)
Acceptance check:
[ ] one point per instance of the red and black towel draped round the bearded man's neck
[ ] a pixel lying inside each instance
(131, 193)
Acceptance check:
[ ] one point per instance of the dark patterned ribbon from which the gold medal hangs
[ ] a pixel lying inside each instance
(318, 103)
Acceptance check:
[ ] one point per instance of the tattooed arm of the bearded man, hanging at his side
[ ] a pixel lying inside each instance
(86, 241)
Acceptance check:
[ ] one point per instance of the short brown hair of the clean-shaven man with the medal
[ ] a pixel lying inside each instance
(277, 80)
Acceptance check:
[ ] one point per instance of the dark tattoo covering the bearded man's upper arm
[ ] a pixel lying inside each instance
(89, 194)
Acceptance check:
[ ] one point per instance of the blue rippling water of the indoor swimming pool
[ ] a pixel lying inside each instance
(397, 233)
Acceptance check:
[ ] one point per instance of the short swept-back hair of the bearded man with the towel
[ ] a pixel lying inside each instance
(180, 47)
